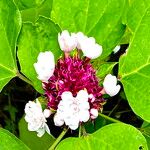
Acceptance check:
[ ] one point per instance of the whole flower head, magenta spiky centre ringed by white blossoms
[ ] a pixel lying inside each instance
(71, 86)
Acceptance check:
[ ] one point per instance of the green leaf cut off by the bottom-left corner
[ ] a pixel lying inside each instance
(10, 142)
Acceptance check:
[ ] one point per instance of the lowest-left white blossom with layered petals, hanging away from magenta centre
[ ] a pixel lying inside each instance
(35, 118)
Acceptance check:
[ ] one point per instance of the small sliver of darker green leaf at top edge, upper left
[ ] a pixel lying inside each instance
(25, 4)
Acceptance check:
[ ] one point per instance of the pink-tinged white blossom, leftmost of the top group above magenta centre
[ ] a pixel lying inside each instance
(66, 42)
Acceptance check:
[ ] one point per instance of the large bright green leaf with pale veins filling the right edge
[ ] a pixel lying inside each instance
(134, 65)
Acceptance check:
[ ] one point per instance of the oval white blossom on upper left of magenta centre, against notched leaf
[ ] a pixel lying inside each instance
(45, 65)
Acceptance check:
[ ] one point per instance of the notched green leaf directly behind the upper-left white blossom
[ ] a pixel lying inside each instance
(32, 40)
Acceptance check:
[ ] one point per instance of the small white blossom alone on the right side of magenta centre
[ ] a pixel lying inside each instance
(110, 85)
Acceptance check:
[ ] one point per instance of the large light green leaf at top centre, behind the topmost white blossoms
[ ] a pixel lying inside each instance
(98, 18)
